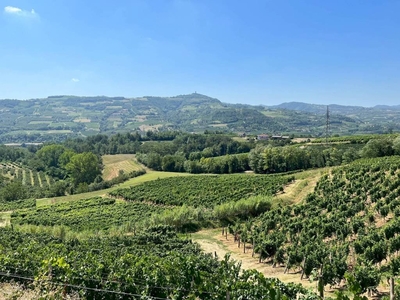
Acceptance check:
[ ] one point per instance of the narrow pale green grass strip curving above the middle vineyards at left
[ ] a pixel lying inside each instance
(152, 175)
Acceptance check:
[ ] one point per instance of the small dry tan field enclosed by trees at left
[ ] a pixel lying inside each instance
(114, 163)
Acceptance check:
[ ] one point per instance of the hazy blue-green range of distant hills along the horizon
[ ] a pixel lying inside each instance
(64, 116)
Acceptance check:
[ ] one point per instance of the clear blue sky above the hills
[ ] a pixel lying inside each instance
(256, 52)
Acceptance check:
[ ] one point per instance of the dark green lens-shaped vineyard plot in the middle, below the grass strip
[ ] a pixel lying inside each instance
(204, 190)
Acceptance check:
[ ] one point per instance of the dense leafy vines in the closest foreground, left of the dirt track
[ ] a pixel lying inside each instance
(155, 263)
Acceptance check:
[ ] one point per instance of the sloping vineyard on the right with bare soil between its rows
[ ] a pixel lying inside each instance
(348, 224)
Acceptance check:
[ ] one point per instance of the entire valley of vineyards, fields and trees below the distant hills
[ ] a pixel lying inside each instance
(306, 219)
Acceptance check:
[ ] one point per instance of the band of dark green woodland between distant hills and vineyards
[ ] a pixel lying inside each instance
(76, 164)
